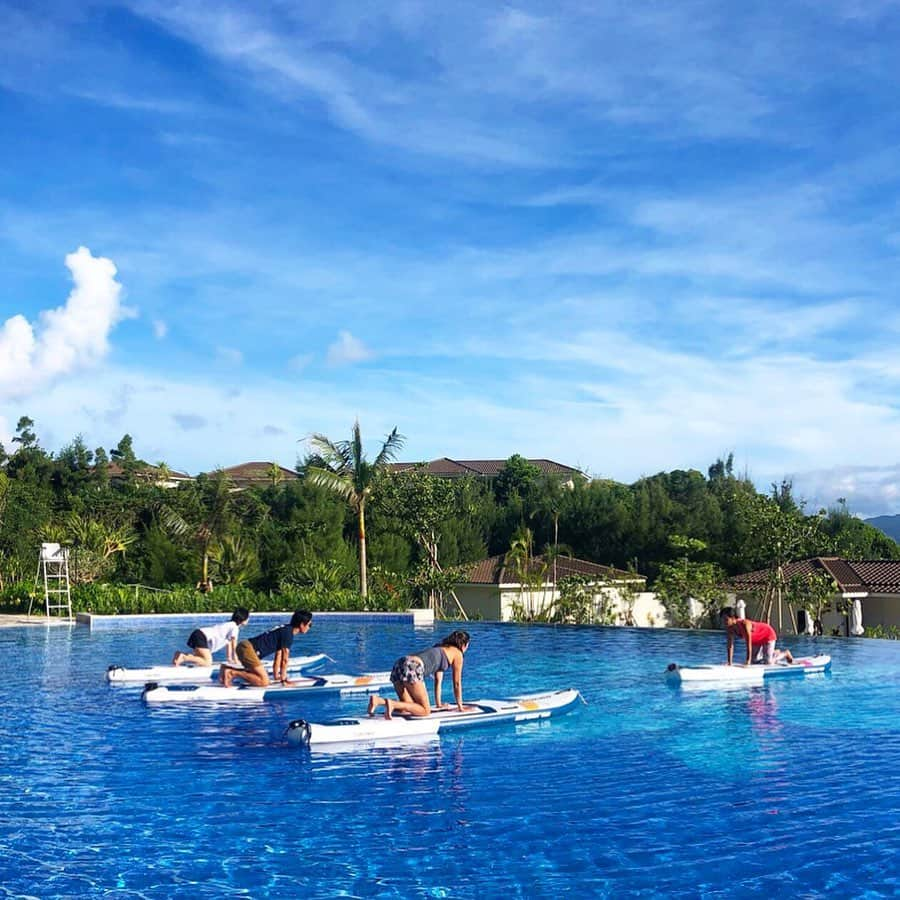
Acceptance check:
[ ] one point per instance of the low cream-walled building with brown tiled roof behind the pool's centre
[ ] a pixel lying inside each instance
(494, 592)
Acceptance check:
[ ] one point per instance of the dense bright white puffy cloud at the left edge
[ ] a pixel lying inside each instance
(67, 339)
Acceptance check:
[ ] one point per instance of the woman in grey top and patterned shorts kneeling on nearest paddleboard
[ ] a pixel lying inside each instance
(409, 673)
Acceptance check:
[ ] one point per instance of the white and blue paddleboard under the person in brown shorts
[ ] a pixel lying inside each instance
(245, 693)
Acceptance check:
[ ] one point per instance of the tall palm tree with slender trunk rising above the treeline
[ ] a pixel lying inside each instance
(346, 471)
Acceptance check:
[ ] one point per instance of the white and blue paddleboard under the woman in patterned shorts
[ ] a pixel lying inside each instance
(366, 729)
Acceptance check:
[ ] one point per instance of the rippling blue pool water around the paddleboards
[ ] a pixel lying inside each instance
(791, 788)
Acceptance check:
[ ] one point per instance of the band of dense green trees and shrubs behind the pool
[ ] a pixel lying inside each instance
(299, 535)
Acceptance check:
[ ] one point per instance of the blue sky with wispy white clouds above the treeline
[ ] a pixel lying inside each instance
(629, 237)
